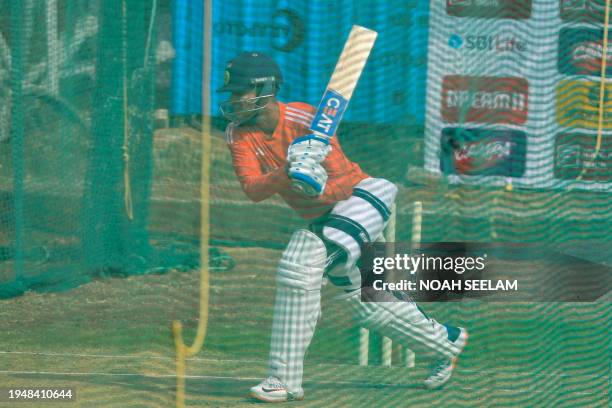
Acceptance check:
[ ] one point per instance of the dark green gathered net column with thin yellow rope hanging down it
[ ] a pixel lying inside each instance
(118, 179)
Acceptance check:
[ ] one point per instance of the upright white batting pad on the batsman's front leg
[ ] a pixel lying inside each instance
(297, 306)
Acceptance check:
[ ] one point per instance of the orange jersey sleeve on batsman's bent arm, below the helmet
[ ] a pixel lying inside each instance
(256, 185)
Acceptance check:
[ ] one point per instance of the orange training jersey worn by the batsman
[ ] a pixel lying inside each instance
(259, 162)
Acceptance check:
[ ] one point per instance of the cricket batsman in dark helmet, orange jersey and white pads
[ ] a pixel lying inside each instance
(273, 152)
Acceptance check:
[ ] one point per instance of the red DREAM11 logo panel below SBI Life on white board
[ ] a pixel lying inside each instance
(502, 100)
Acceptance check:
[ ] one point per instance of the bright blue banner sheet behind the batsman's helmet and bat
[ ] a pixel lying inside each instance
(305, 37)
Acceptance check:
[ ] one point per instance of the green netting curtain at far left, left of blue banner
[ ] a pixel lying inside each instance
(66, 221)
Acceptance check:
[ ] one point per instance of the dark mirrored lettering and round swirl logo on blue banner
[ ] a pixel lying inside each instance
(286, 30)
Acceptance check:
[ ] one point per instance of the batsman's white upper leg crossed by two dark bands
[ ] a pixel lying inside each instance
(360, 219)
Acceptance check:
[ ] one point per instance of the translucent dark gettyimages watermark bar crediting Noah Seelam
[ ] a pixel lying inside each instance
(506, 272)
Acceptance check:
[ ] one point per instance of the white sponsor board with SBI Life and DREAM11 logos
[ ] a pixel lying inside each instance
(513, 93)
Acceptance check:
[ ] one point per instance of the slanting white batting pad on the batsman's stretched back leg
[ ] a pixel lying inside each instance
(403, 322)
